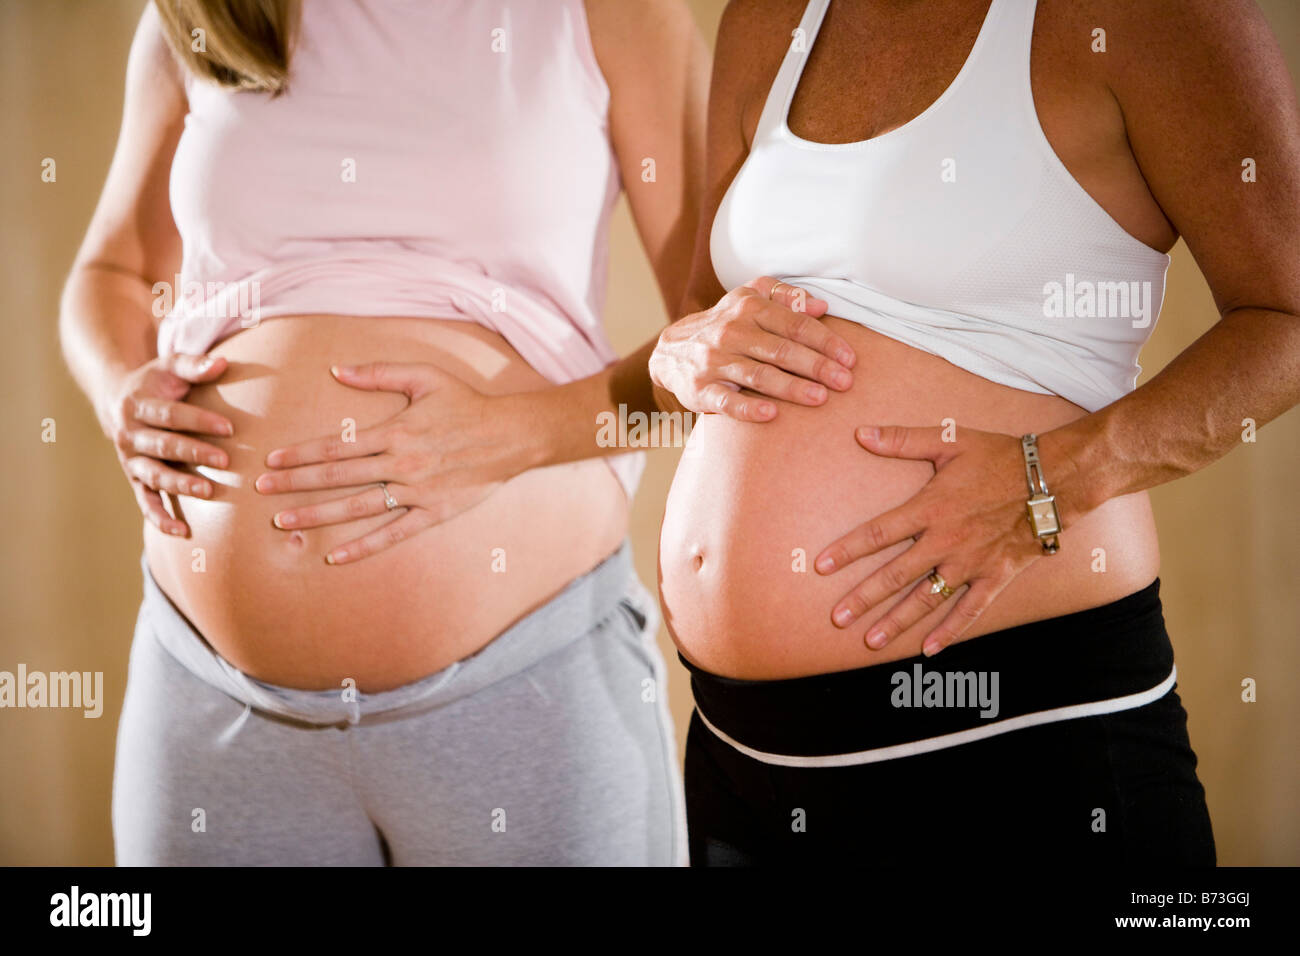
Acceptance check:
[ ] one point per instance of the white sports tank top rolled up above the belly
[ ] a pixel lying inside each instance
(960, 233)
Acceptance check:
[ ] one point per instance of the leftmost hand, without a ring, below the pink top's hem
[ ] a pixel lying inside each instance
(148, 421)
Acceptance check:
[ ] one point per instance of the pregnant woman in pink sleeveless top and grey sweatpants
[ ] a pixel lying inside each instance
(362, 183)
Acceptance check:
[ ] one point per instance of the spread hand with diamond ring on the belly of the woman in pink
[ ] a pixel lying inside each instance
(443, 455)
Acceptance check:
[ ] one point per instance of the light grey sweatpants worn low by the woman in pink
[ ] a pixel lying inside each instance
(551, 746)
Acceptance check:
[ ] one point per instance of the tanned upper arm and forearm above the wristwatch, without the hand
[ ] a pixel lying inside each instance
(1221, 94)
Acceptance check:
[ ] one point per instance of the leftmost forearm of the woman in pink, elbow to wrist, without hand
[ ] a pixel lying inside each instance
(106, 331)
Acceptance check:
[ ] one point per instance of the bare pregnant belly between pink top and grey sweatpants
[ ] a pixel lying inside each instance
(267, 602)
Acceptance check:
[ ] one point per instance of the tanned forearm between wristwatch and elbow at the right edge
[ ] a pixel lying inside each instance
(1186, 418)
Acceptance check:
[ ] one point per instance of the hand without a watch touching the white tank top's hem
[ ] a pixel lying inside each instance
(765, 338)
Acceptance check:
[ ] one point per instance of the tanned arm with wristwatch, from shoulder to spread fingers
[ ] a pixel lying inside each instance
(1204, 90)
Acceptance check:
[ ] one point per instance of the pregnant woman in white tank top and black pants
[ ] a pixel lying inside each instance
(985, 194)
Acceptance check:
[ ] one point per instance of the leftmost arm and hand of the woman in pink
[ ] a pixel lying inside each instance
(107, 325)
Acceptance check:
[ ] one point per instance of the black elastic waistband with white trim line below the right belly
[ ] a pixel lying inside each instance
(1102, 660)
